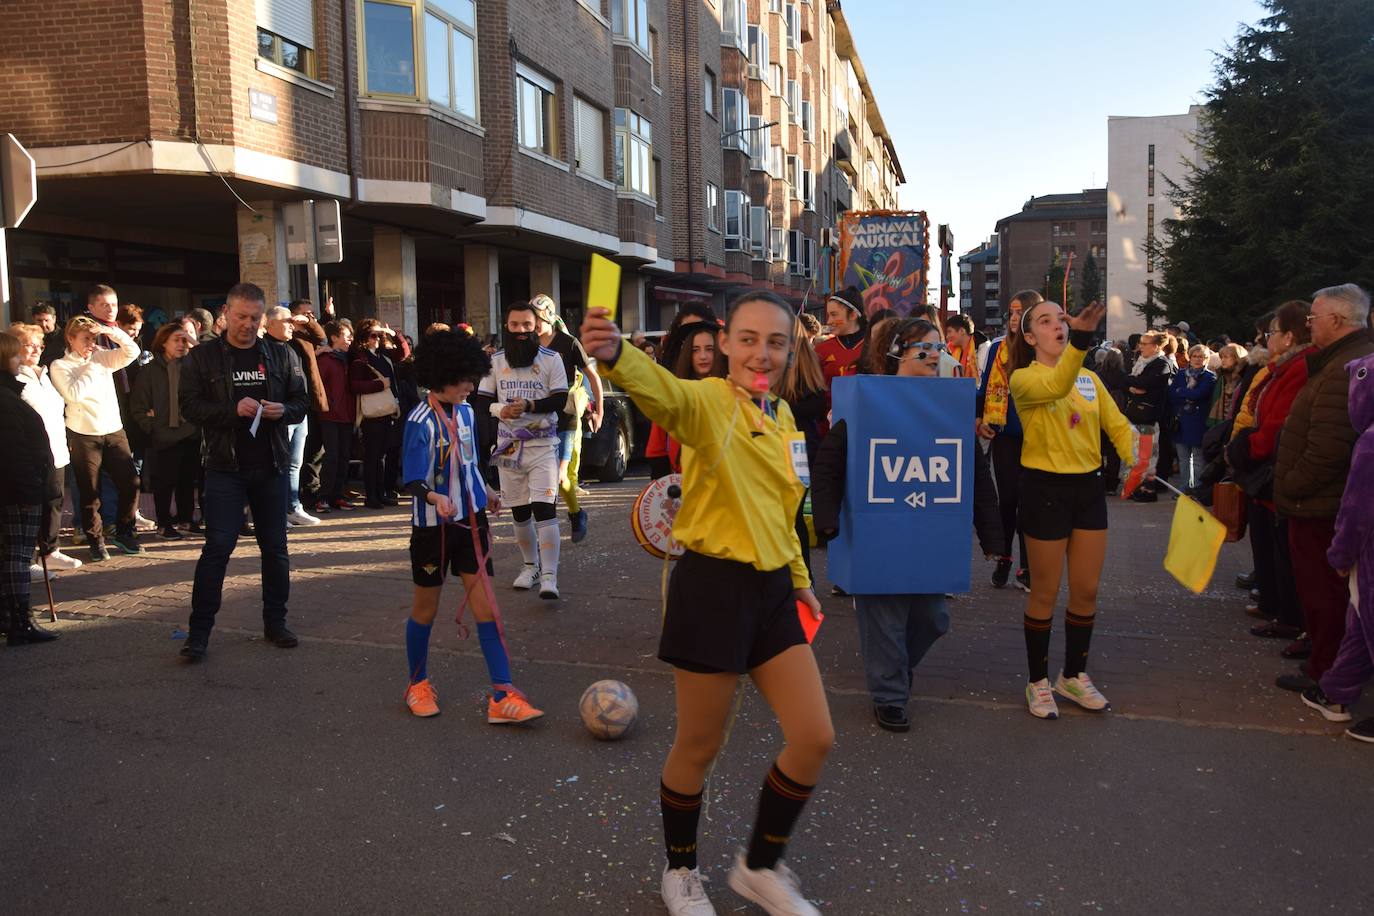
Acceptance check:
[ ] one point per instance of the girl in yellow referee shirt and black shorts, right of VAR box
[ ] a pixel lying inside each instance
(1064, 410)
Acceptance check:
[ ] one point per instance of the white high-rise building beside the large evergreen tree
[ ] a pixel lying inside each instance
(1144, 156)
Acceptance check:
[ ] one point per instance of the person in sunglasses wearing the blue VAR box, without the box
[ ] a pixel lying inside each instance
(895, 631)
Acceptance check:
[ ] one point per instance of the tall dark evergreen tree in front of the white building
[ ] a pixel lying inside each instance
(1281, 201)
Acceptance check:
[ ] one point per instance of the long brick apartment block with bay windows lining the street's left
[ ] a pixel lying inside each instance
(480, 152)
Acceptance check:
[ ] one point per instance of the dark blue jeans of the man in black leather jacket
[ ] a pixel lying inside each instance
(223, 502)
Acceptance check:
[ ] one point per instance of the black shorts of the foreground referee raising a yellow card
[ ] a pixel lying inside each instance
(728, 617)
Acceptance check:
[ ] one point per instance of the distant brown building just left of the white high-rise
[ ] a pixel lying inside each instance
(1048, 226)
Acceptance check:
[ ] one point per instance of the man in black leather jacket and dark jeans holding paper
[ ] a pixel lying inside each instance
(244, 391)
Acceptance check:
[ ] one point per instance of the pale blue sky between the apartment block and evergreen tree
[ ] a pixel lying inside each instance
(990, 104)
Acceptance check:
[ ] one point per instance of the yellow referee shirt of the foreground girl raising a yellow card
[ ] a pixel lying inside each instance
(741, 470)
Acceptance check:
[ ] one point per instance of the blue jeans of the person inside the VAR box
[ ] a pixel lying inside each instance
(895, 634)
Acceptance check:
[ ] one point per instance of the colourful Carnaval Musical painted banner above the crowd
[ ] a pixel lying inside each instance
(887, 256)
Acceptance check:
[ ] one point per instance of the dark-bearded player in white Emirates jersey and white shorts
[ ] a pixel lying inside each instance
(526, 393)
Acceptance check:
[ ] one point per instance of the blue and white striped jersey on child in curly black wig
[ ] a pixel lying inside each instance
(425, 457)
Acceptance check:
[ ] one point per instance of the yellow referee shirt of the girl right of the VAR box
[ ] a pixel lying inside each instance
(1064, 411)
